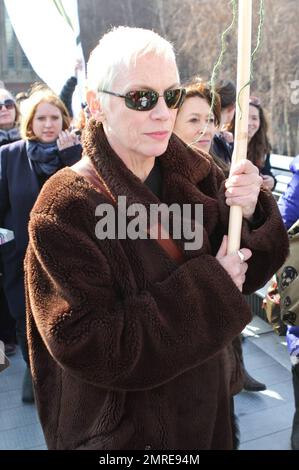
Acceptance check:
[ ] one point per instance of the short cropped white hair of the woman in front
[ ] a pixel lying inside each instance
(118, 50)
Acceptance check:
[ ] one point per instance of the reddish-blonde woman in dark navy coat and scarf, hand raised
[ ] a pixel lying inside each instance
(26, 165)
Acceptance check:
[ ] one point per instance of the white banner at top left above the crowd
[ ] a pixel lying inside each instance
(49, 33)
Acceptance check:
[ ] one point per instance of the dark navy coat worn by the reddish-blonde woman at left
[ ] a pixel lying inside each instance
(19, 188)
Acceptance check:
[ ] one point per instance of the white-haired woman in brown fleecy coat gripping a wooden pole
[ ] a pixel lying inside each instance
(130, 323)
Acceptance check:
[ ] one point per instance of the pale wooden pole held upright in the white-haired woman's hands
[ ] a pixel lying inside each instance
(242, 111)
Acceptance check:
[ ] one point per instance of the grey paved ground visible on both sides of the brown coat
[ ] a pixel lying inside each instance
(265, 418)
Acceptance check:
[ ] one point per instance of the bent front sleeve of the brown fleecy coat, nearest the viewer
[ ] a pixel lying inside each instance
(130, 342)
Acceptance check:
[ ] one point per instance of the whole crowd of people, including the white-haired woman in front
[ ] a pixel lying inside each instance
(134, 343)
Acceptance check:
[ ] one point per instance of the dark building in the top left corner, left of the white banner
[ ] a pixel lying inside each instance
(16, 72)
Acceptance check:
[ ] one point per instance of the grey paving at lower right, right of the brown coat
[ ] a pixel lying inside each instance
(266, 417)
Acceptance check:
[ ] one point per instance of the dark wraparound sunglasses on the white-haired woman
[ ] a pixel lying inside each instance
(145, 100)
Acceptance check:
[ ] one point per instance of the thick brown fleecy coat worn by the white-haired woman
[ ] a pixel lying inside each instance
(129, 350)
